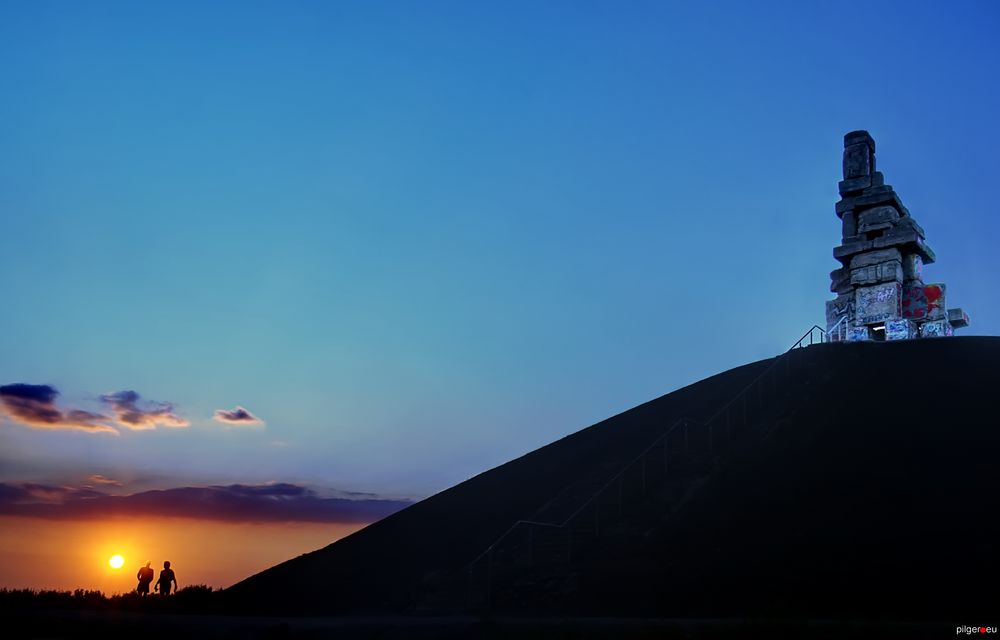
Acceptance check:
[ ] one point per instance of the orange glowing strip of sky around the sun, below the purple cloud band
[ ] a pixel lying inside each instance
(66, 555)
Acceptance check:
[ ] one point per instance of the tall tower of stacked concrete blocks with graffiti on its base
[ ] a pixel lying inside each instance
(880, 290)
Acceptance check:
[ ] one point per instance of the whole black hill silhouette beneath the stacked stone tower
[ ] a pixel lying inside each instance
(847, 480)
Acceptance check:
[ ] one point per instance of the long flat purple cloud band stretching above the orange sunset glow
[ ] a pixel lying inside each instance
(281, 502)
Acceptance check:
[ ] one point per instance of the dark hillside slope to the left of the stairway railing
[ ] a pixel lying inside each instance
(389, 565)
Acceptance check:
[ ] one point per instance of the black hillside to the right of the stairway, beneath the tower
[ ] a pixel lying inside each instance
(873, 498)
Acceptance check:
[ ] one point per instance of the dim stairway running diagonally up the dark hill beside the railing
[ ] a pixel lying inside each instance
(540, 559)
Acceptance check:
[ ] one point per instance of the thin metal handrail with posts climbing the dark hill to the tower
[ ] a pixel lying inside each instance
(719, 431)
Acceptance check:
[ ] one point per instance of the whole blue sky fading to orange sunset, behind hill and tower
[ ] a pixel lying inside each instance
(312, 261)
